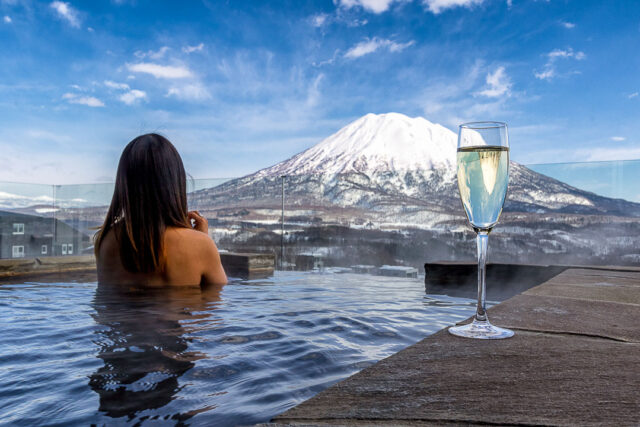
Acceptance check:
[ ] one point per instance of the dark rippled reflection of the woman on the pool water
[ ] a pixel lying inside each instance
(144, 344)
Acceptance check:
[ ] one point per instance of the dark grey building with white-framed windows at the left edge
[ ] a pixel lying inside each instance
(31, 236)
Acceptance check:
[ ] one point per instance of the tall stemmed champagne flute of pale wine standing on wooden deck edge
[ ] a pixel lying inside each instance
(483, 177)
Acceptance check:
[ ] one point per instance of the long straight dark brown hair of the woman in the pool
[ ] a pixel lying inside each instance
(150, 195)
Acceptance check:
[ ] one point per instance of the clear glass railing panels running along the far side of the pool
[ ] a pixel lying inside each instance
(569, 214)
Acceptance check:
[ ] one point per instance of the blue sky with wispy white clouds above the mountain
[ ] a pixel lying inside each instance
(240, 85)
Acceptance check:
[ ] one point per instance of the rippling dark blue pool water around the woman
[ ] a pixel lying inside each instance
(79, 354)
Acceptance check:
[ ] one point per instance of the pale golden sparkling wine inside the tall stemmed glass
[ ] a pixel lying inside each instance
(483, 177)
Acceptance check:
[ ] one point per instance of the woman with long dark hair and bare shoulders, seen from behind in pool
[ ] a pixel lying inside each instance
(147, 237)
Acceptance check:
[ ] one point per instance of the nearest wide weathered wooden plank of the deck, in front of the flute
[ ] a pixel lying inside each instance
(530, 379)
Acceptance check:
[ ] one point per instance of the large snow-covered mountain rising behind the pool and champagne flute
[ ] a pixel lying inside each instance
(394, 166)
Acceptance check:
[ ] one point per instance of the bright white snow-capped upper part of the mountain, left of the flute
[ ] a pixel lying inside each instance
(375, 143)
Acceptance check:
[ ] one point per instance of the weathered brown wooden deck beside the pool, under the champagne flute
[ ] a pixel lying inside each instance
(574, 360)
